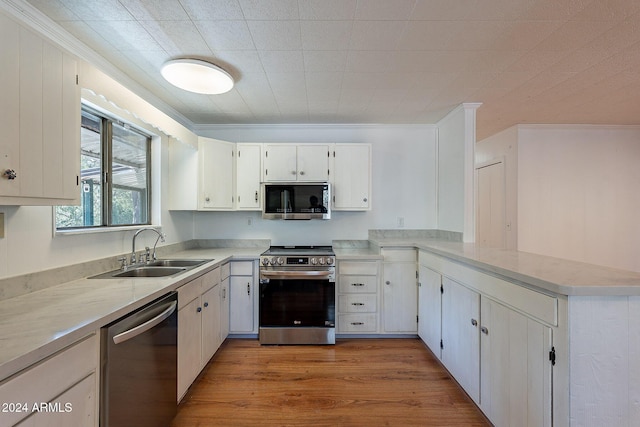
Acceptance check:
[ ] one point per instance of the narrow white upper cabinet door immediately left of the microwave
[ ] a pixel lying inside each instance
(248, 158)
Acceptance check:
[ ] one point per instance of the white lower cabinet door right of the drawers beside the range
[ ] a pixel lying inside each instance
(400, 298)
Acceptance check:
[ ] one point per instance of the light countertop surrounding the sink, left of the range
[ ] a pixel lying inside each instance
(36, 325)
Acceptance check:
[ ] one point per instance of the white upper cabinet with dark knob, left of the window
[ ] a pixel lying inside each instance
(39, 118)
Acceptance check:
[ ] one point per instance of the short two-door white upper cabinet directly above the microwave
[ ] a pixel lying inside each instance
(291, 162)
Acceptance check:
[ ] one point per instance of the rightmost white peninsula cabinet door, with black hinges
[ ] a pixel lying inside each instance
(515, 367)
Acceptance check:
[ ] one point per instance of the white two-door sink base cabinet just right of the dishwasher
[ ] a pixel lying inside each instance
(198, 326)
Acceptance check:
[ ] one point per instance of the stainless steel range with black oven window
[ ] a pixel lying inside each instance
(297, 295)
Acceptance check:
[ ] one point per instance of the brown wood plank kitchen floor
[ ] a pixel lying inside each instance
(357, 382)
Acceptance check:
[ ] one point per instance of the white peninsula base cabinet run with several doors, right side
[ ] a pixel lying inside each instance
(494, 337)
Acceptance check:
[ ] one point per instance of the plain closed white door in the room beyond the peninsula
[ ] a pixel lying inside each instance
(490, 216)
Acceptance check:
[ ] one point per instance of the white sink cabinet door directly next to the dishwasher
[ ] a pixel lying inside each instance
(189, 345)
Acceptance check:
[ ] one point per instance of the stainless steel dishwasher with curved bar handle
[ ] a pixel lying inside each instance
(139, 359)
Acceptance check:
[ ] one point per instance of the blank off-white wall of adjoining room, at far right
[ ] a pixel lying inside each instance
(579, 193)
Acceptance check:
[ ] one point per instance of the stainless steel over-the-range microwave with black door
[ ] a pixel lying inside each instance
(296, 200)
